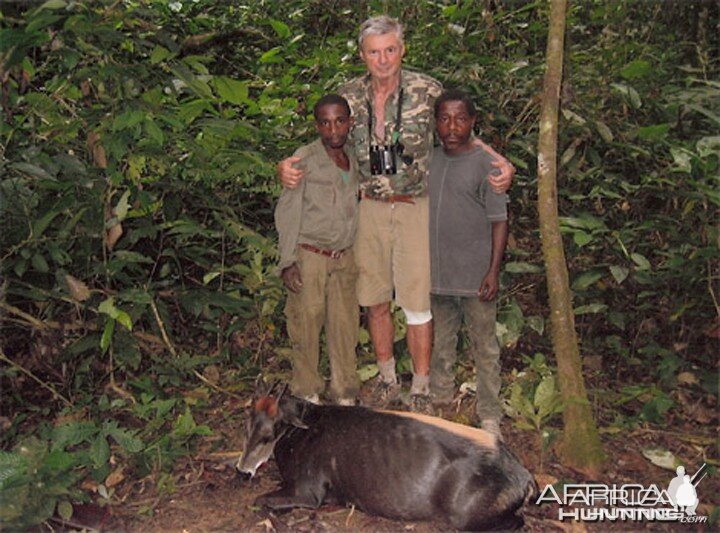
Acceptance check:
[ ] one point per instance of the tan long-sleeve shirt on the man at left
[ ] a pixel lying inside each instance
(322, 210)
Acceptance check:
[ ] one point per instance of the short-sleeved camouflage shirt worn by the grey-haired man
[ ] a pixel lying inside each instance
(416, 133)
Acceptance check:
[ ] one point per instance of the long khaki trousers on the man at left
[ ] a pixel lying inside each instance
(328, 299)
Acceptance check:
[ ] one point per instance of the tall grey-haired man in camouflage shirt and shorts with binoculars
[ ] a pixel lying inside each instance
(393, 140)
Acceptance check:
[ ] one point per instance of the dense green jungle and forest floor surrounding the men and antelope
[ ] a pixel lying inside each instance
(138, 296)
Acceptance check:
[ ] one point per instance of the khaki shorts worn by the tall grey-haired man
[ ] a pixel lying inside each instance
(392, 251)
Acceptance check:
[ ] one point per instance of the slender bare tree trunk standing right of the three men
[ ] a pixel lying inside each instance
(580, 447)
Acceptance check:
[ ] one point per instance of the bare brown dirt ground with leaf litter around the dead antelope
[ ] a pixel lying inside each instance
(209, 495)
